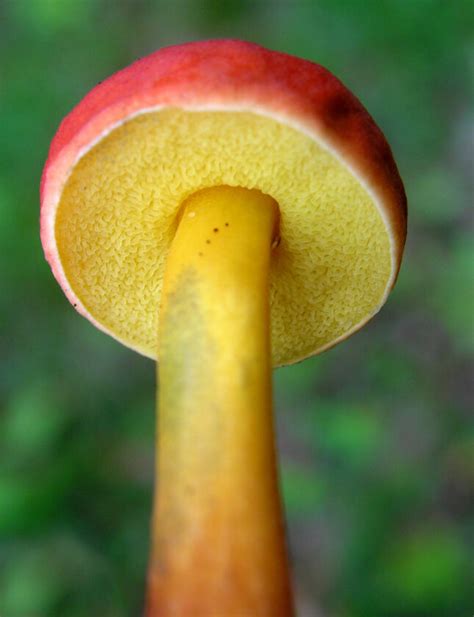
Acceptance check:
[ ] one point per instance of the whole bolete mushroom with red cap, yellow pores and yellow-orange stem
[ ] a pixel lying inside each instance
(222, 208)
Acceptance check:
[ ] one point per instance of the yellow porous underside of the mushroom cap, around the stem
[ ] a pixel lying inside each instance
(119, 211)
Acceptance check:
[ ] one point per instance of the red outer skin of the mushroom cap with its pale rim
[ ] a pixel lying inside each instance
(229, 75)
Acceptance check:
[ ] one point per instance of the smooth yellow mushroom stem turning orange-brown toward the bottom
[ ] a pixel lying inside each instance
(218, 533)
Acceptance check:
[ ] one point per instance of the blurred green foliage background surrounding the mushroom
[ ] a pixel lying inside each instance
(375, 438)
